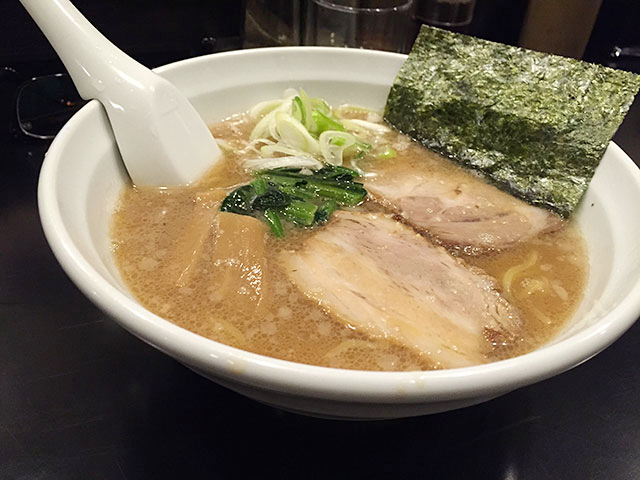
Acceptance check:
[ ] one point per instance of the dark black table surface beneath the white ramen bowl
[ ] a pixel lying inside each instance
(80, 398)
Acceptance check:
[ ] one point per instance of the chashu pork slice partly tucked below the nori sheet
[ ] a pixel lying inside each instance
(458, 210)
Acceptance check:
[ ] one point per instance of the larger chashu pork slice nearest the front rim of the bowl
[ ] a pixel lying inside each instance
(380, 277)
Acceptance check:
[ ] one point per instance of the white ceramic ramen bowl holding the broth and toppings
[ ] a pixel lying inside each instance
(82, 176)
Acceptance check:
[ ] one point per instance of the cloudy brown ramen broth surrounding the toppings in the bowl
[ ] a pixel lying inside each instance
(150, 224)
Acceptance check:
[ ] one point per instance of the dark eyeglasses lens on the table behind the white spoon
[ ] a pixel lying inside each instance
(44, 104)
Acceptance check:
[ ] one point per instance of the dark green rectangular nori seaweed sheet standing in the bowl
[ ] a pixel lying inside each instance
(534, 124)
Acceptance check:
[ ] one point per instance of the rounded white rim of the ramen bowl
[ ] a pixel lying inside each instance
(273, 374)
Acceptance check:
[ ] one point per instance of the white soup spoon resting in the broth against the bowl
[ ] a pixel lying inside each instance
(162, 139)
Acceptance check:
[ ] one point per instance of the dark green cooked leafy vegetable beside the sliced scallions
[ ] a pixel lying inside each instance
(301, 197)
